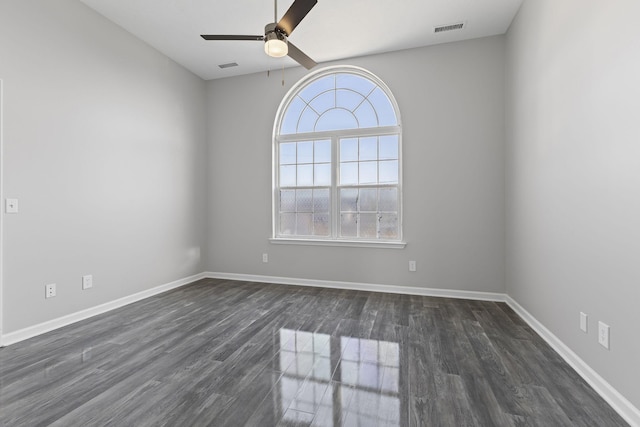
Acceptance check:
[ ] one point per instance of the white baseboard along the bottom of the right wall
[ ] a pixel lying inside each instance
(618, 402)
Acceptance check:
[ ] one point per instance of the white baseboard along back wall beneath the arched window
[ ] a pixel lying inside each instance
(392, 289)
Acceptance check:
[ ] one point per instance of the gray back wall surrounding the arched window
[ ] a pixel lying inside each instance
(451, 100)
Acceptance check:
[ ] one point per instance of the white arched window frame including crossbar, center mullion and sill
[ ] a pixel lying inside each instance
(334, 136)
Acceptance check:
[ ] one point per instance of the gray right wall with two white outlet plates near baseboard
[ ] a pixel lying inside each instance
(573, 150)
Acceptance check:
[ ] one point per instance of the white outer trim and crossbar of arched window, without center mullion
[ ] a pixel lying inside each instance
(276, 138)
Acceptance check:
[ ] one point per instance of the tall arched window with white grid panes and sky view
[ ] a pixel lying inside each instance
(337, 160)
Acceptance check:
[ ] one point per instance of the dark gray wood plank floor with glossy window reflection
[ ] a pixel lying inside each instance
(225, 353)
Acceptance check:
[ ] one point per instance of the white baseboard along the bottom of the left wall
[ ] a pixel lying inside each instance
(32, 331)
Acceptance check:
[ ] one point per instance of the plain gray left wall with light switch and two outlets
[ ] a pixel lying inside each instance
(104, 146)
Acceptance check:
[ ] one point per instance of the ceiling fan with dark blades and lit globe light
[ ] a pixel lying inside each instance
(276, 34)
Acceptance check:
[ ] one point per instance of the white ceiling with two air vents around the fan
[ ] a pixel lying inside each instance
(333, 30)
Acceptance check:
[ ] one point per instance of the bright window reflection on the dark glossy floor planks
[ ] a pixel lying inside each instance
(337, 380)
